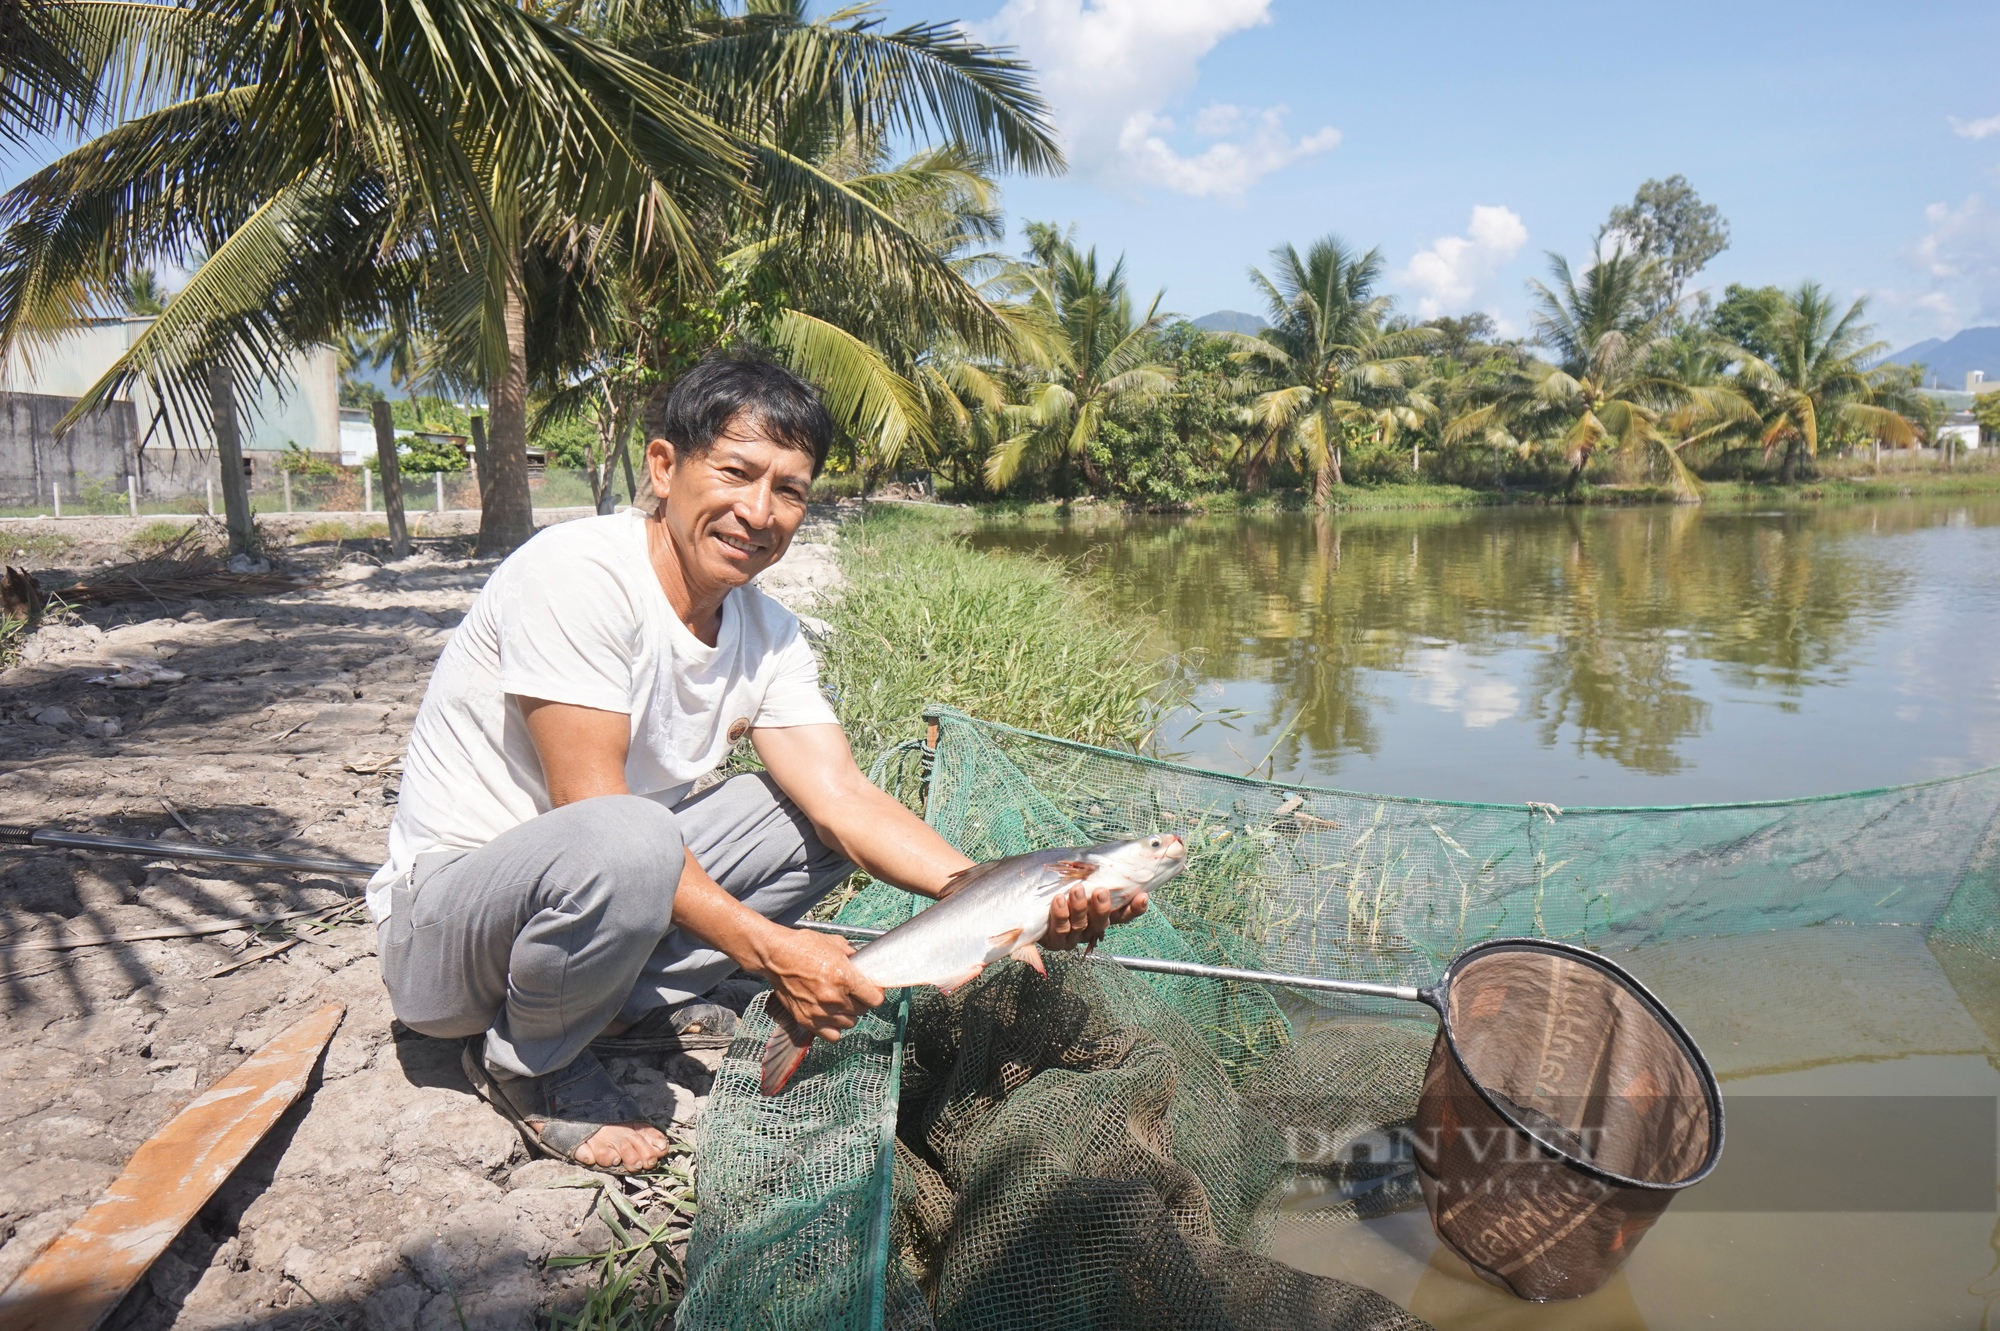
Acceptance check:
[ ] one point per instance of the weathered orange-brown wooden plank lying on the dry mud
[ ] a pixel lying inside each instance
(89, 1270)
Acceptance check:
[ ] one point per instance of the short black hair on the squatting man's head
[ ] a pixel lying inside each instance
(699, 407)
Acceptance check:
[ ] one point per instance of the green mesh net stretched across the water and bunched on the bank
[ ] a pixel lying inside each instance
(1111, 1150)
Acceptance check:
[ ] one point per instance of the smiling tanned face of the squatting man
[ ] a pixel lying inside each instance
(733, 511)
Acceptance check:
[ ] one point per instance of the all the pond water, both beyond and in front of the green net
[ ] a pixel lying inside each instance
(1643, 659)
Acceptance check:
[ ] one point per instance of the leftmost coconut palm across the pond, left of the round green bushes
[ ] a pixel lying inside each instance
(1101, 359)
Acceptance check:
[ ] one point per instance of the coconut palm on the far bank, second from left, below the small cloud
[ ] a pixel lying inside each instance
(1331, 363)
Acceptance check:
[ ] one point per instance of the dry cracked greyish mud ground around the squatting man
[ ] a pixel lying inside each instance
(389, 1198)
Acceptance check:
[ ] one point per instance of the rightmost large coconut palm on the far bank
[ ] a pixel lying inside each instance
(1815, 383)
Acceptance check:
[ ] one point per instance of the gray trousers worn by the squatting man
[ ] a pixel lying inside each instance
(563, 924)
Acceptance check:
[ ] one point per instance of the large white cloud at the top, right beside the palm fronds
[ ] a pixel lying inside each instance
(1111, 69)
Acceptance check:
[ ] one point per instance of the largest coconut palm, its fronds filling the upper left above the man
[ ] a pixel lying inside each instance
(349, 163)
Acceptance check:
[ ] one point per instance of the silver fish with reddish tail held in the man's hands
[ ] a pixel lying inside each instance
(987, 912)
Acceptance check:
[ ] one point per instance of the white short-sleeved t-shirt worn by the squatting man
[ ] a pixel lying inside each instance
(579, 617)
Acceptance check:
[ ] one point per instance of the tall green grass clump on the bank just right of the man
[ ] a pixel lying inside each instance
(1007, 639)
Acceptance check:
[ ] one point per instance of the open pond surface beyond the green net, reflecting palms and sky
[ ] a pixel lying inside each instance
(1659, 655)
